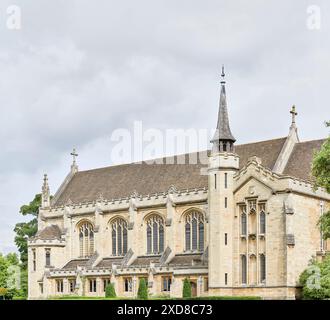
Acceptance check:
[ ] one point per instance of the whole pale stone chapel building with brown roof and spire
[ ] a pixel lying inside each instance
(248, 227)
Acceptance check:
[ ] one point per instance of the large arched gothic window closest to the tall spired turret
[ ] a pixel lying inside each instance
(194, 231)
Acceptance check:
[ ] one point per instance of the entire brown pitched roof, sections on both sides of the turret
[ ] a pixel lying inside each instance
(123, 180)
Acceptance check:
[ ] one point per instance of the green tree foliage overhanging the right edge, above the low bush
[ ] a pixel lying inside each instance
(321, 172)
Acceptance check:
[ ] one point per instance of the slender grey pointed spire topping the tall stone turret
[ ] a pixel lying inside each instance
(223, 139)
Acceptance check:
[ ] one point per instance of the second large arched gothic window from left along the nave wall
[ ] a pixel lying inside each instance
(119, 237)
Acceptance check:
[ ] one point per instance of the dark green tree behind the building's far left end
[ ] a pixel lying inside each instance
(28, 229)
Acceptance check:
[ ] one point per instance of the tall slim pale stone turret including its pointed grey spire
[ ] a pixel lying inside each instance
(223, 164)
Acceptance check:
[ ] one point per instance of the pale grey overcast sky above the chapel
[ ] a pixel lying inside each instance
(77, 70)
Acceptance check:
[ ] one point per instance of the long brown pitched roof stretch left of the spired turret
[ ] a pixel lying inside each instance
(123, 180)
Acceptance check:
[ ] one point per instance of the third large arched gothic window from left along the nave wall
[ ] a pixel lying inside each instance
(155, 234)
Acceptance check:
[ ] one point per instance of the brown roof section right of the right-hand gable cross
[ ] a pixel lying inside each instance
(300, 161)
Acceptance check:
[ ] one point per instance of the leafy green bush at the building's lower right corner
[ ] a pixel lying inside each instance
(315, 280)
